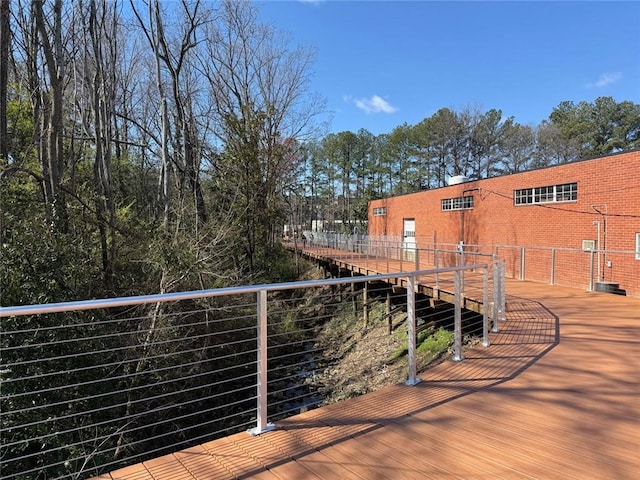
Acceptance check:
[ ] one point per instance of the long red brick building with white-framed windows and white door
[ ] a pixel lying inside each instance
(576, 224)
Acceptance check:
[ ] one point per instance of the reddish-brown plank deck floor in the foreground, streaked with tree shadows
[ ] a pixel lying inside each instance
(556, 396)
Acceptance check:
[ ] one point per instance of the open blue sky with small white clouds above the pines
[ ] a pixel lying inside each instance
(380, 64)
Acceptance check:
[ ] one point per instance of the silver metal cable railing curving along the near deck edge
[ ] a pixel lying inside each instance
(88, 387)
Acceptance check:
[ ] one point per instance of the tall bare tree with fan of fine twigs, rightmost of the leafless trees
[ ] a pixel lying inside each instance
(259, 89)
